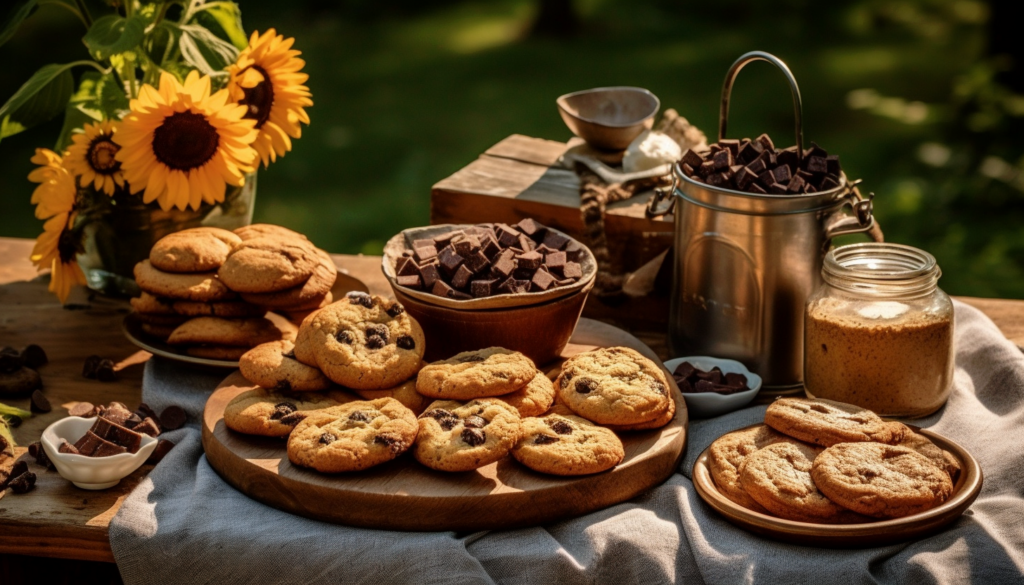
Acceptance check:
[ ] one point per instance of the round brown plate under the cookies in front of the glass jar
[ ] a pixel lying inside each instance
(850, 536)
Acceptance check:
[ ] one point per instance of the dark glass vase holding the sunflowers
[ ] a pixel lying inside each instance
(118, 232)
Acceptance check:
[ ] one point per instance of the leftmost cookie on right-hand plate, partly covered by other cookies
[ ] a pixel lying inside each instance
(728, 455)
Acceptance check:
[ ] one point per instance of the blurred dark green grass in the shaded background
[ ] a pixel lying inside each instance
(403, 103)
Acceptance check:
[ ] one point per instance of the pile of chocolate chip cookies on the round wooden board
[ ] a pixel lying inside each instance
(473, 410)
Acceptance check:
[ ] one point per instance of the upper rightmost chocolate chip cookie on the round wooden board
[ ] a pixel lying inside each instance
(614, 386)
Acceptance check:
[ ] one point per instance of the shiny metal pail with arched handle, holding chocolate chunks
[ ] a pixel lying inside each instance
(746, 264)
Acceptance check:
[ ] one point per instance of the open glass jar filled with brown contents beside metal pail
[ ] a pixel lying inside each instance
(879, 332)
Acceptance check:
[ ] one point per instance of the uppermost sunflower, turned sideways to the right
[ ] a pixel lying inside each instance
(268, 79)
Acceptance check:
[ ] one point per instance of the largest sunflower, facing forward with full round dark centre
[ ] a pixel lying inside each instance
(185, 146)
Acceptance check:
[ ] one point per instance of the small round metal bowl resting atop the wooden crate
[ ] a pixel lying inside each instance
(609, 118)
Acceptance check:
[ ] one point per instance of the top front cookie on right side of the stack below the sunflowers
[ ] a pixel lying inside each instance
(269, 265)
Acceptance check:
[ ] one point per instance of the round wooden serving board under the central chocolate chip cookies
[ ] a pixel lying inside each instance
(405, 495)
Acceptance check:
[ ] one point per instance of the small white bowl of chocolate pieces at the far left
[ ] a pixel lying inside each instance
(91, 473)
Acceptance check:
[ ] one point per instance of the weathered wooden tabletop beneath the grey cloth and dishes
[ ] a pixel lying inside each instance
(60, 521)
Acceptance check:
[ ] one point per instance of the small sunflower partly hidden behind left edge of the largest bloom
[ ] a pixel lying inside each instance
(92, 157)
